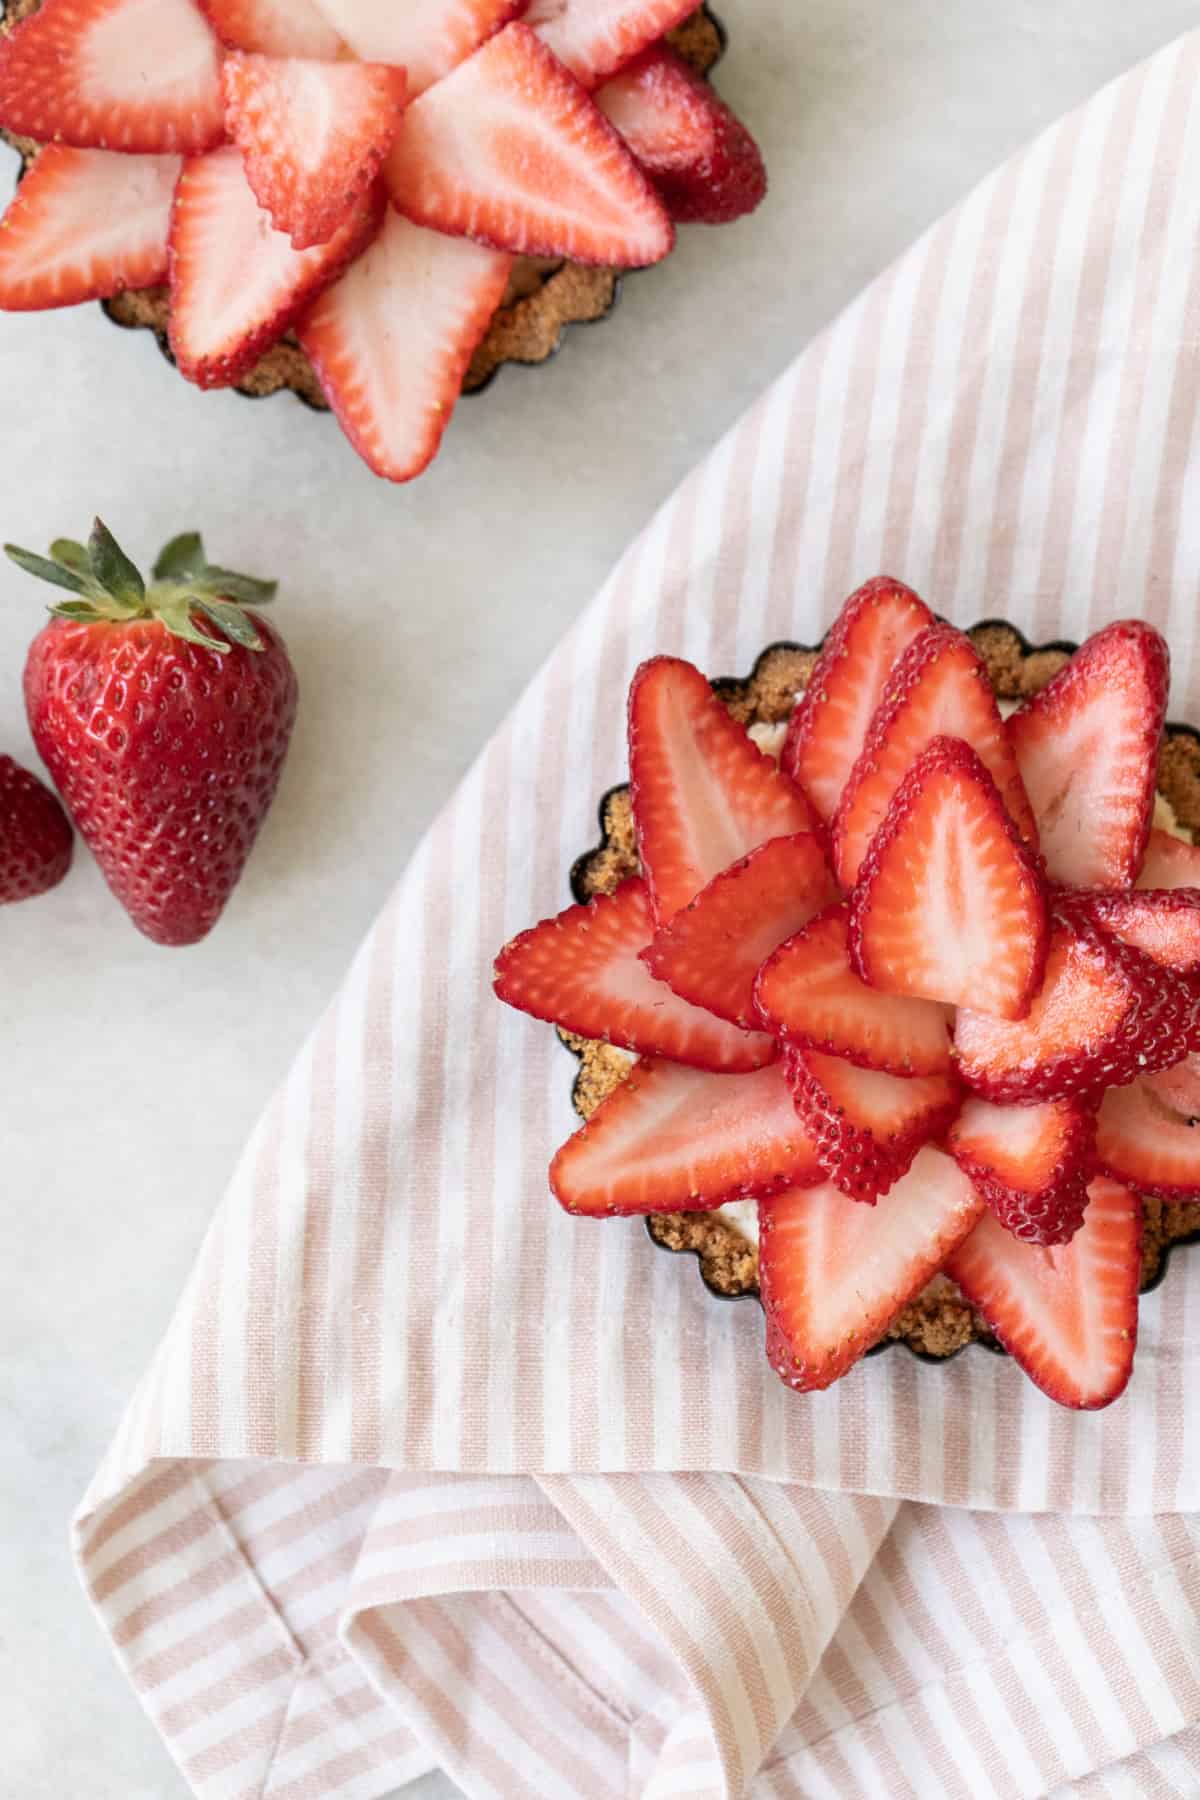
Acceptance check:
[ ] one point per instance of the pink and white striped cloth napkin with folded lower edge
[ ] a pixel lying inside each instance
(424, 1471)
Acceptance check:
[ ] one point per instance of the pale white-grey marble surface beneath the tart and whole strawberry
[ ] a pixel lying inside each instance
(415, 616)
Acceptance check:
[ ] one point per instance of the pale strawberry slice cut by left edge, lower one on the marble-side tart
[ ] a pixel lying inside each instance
(84, 226)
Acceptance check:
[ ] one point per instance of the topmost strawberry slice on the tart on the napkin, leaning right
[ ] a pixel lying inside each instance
(832, 717)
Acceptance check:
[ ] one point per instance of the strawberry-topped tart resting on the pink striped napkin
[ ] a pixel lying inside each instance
(886, 985)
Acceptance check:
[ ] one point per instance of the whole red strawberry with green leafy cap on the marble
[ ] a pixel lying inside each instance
(165, 717)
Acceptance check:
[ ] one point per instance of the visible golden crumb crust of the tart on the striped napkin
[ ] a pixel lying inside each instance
(940, 1322)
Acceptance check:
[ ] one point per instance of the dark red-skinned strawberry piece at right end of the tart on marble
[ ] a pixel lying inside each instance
(701, 157)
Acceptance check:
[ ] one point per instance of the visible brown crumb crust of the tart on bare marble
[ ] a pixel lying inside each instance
(542, 301)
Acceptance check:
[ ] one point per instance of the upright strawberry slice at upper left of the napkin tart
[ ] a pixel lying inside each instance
(704, 795)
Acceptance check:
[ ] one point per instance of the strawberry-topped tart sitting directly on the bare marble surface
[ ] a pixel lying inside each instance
(370, 204)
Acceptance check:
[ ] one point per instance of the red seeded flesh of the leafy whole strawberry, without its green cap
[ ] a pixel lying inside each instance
(166, 759)
